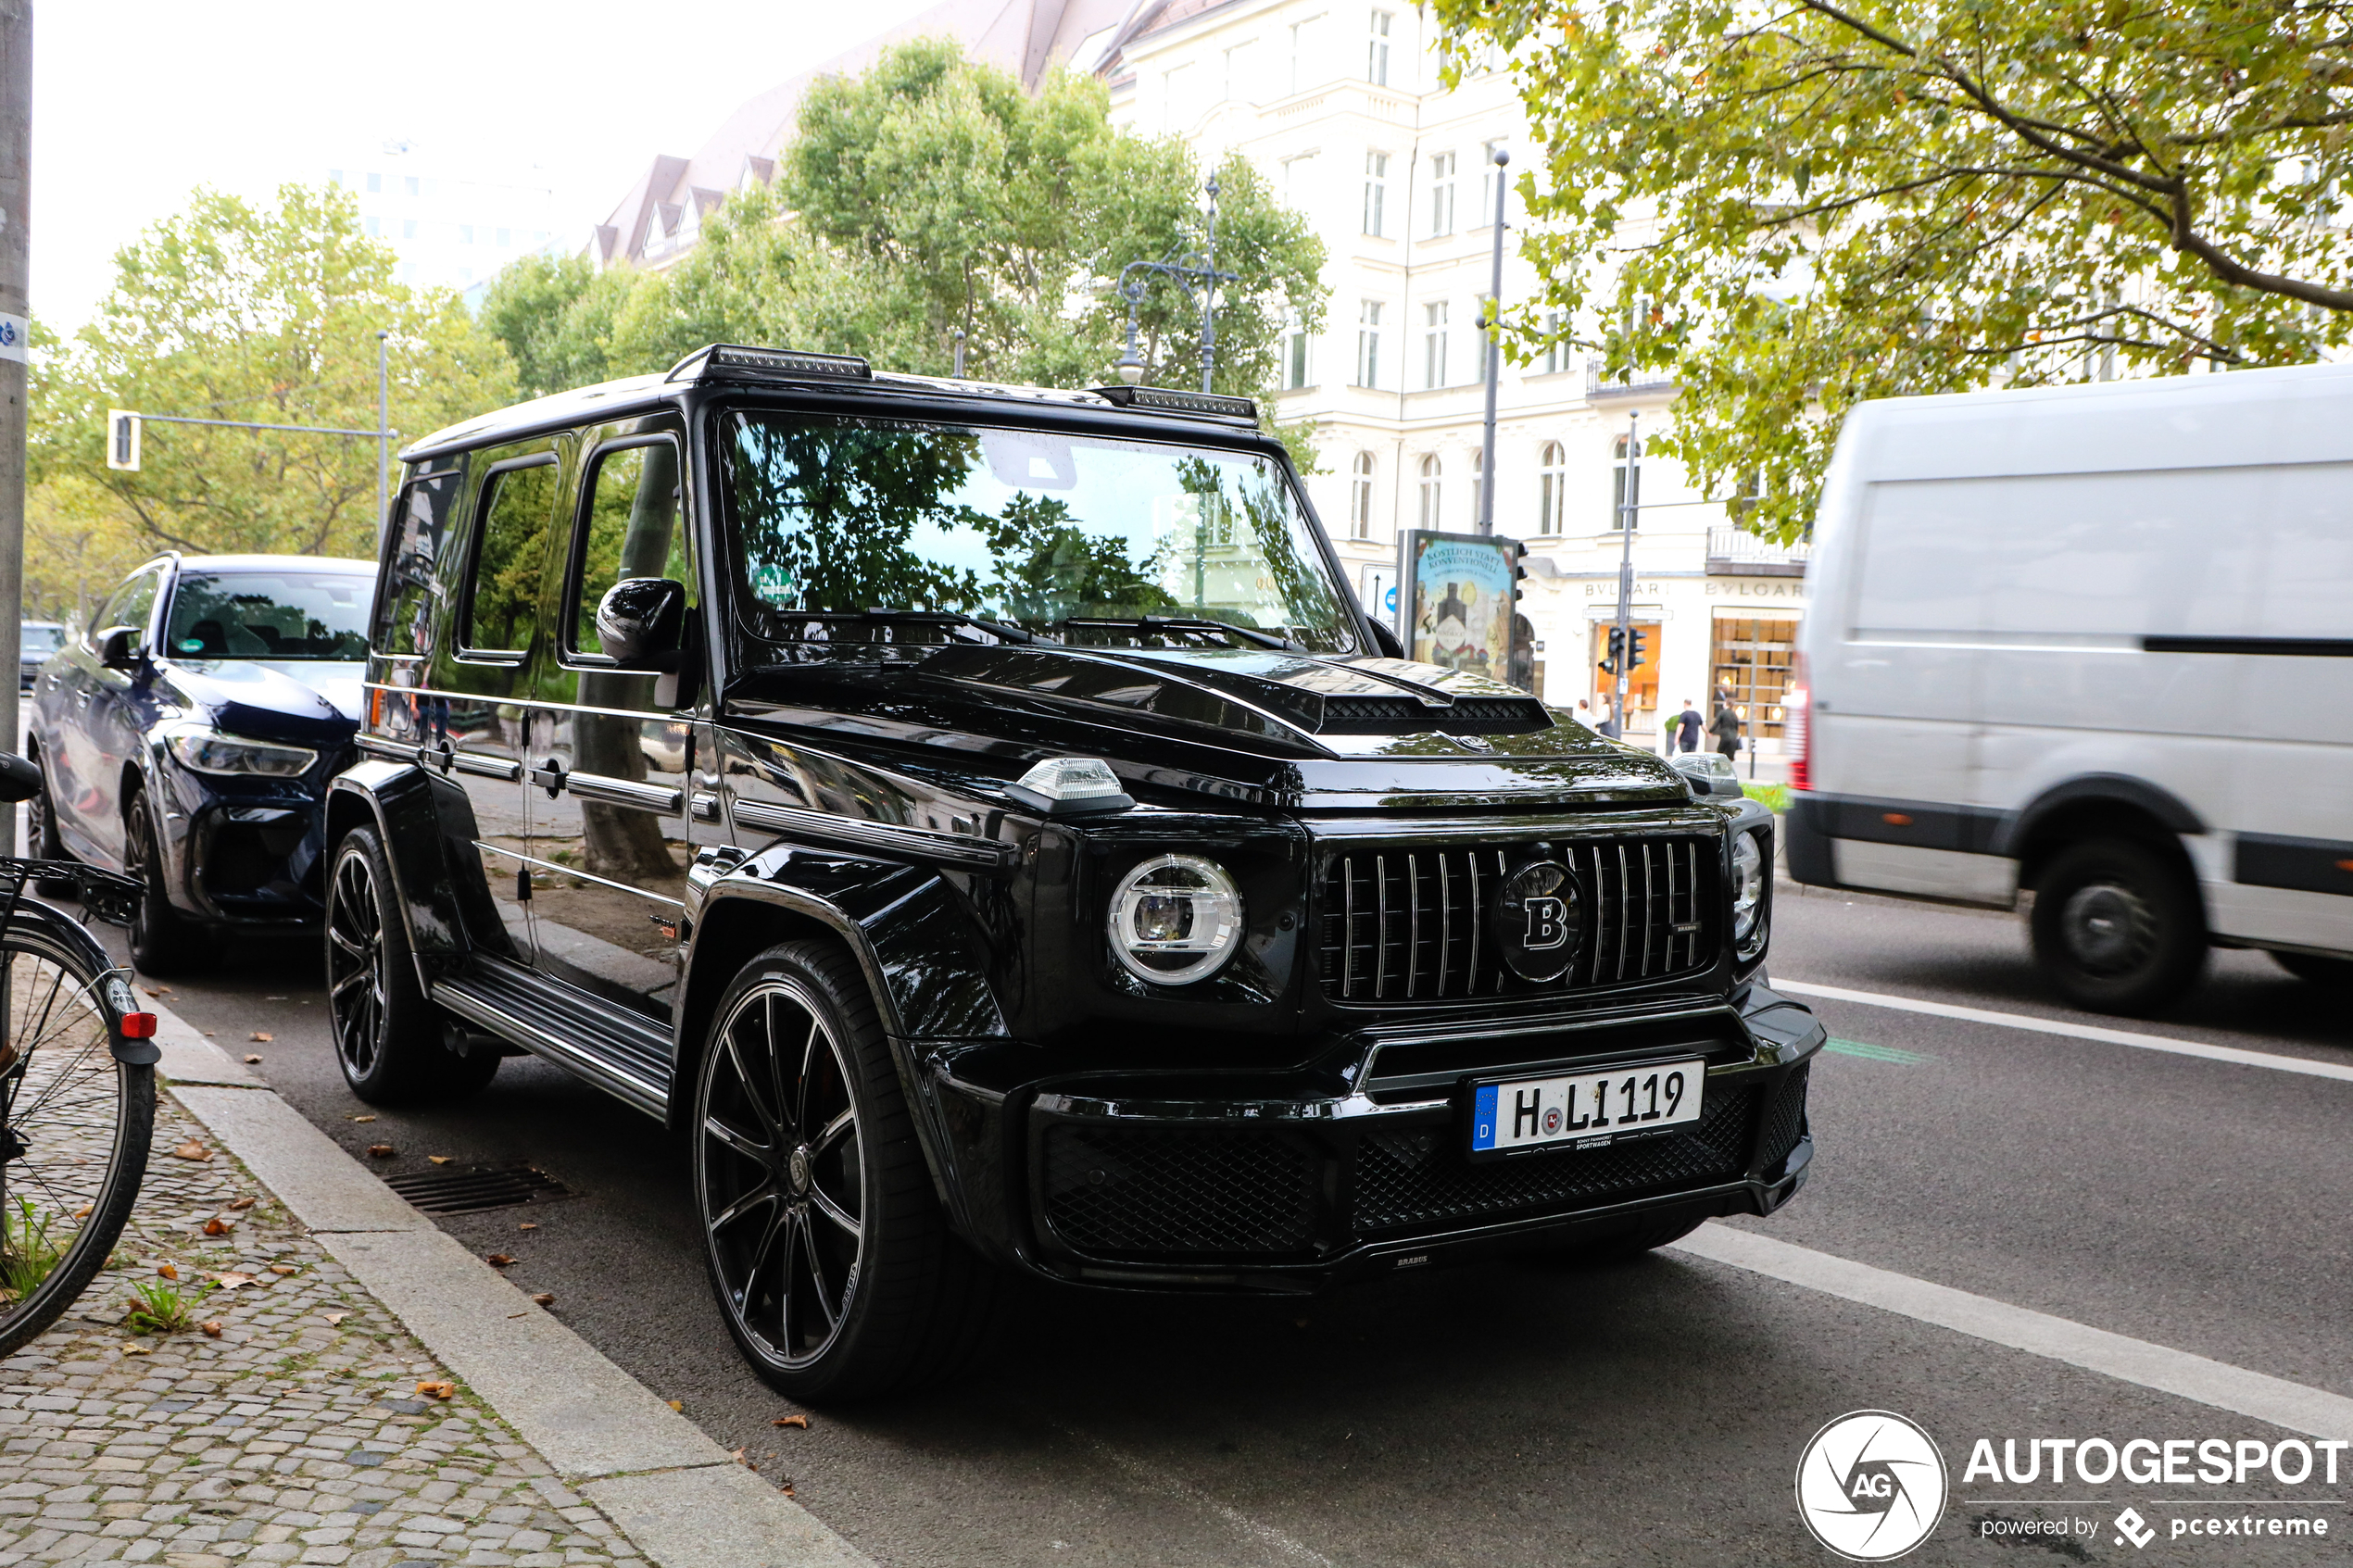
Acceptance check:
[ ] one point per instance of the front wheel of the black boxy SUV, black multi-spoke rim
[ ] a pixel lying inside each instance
(822, 1231)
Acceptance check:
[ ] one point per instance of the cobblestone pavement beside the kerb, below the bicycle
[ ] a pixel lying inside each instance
(298, 1435)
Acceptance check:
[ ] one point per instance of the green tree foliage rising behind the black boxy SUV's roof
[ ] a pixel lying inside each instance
(933, 196)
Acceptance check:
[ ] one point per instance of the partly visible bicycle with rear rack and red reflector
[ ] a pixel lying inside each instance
(76, 1083)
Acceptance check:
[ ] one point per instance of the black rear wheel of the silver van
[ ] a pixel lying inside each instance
(2117, 927)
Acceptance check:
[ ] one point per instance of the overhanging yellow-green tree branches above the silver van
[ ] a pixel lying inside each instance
(1801, 206)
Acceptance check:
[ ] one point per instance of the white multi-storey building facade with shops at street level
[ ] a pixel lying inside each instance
(1340, 105)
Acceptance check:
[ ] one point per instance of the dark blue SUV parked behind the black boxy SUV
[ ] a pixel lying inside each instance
(189, 737)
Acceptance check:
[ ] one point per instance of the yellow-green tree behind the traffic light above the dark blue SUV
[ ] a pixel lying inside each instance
(255, 314)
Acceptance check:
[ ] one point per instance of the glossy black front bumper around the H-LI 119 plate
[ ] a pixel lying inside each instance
(1121, 1186)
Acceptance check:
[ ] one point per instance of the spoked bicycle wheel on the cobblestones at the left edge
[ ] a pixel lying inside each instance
(67, 1097)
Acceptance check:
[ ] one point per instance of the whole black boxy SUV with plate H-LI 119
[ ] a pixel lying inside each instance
(989, 831)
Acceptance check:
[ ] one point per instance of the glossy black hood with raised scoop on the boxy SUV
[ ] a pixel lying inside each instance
(1274, 725)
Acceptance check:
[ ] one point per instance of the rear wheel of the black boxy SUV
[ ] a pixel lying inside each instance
(387, 1036)
